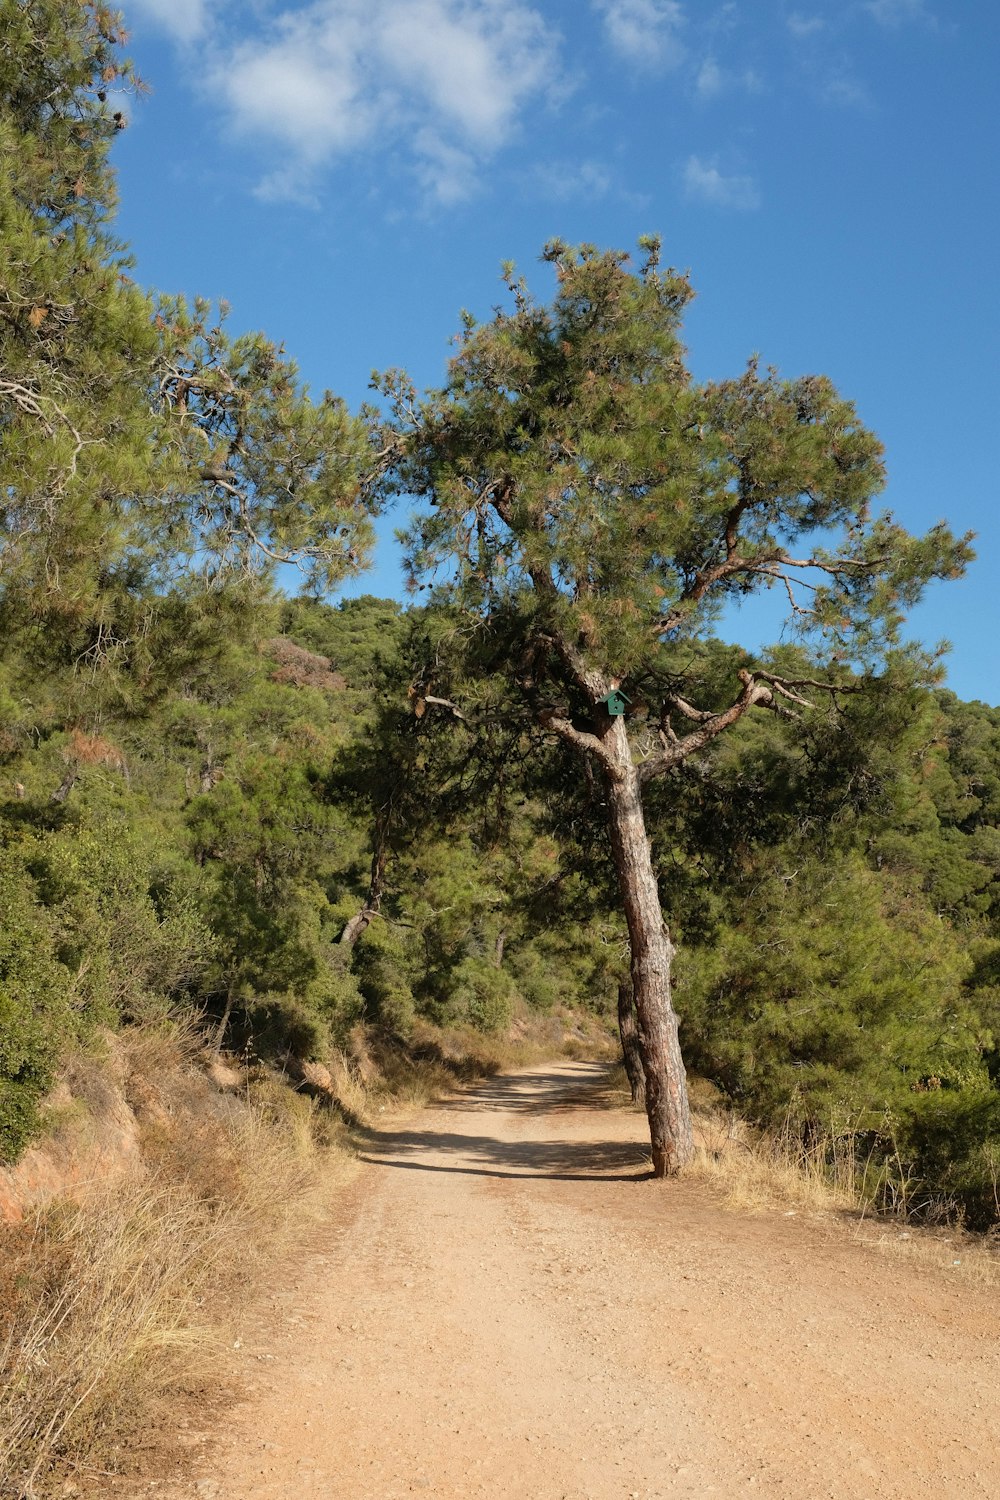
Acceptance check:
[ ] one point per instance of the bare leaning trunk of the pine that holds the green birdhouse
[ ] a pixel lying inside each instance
(651, 956)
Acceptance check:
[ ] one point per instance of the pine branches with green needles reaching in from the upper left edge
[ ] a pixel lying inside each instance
(143, 445)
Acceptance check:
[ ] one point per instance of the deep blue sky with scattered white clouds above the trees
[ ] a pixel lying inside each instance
(350, 173)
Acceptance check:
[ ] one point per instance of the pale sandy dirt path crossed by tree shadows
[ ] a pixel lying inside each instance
(507, 1309)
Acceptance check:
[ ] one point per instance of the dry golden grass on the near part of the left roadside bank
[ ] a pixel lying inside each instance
(133, 1294)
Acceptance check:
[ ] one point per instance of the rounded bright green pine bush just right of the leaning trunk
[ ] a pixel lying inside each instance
(833, 994)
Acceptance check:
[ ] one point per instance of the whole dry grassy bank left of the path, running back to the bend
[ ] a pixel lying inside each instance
(127, 1295)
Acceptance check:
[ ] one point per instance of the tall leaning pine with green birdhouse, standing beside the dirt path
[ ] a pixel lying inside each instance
(594, 506)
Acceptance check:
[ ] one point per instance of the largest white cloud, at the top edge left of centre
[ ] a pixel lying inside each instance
(445, 82)
